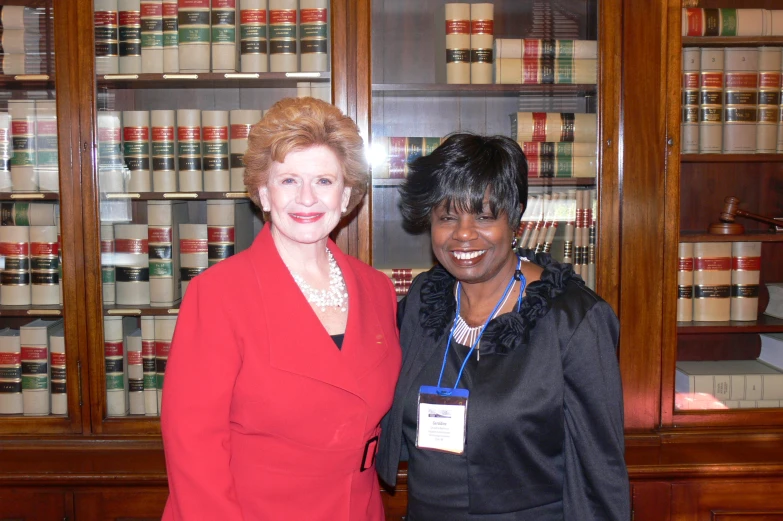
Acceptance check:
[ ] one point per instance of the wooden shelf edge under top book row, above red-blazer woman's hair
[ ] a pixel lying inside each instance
(208, 80)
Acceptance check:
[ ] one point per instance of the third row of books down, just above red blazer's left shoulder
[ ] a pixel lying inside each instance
(151, 264)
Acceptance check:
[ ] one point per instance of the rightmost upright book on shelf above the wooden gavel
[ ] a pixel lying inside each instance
(769, 100)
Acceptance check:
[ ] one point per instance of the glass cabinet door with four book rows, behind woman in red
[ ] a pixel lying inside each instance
(178, 84)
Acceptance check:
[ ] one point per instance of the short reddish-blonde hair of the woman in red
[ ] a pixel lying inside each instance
(294, 124)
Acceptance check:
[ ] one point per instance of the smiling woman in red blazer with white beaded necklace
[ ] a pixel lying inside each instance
(285, 356)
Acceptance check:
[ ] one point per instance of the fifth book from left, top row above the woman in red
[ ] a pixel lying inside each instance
(194, 35)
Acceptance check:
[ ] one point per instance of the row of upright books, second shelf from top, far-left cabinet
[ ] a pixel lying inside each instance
(28, 147)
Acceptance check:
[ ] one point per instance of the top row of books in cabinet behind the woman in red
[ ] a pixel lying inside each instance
(172, 36)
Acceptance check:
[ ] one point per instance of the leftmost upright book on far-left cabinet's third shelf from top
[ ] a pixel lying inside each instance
(15, 277)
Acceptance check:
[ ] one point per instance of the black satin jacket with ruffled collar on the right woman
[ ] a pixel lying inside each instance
(545, 420)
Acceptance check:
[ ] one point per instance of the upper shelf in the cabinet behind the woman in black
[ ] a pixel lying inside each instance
(450, 89)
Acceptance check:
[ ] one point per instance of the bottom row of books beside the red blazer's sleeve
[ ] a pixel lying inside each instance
(135, 356)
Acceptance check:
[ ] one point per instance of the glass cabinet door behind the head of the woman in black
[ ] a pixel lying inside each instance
(527, 70)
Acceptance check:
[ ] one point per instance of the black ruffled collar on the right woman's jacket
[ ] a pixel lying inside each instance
(506, 332)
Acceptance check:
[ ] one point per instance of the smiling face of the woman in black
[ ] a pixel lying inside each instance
(474, 248)
